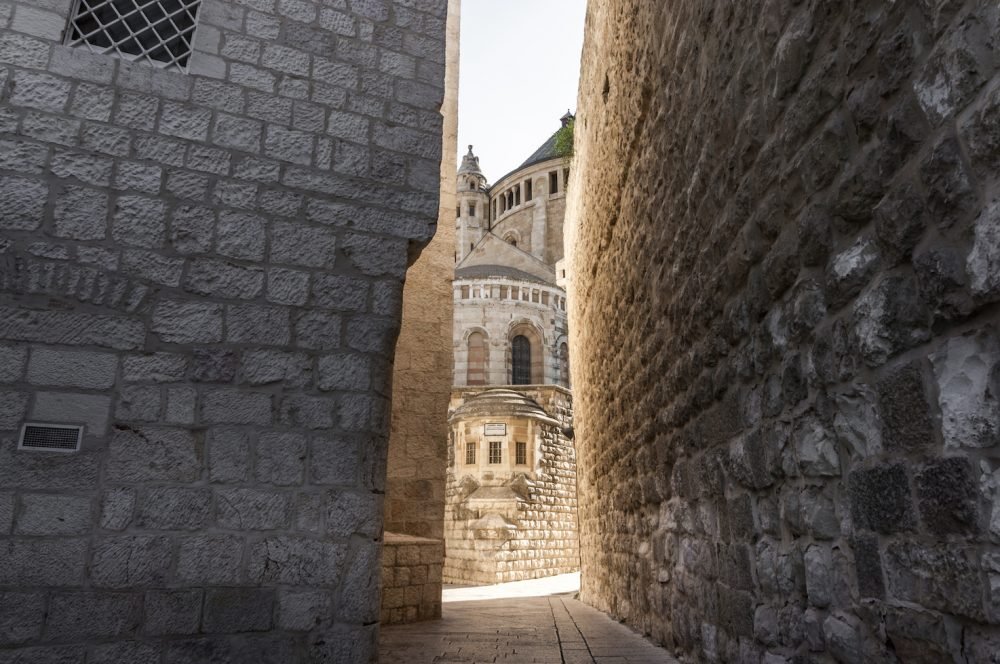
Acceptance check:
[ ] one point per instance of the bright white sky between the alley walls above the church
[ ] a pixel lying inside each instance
(519, 71)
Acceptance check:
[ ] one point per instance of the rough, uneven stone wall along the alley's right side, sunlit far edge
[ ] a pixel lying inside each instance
(784, 320)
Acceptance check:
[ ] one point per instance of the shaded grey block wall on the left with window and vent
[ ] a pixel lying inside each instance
(204, 269)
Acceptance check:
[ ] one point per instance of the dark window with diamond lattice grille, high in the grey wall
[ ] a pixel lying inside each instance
(158, 31)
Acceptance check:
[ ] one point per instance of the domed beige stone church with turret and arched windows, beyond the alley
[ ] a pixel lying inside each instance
(510, 511)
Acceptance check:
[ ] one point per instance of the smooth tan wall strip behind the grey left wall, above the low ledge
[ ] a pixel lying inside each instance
(422, 368)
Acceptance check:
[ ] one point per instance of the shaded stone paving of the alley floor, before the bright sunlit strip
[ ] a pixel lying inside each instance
(528, 630)
